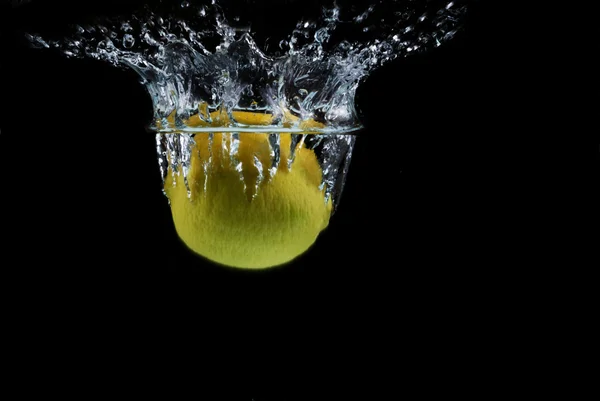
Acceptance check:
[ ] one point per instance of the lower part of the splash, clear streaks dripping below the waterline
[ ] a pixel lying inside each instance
(333, 153)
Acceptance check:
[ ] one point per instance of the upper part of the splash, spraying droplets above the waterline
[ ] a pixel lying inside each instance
(199, 63)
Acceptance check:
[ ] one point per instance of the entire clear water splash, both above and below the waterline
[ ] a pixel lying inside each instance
(201, 70)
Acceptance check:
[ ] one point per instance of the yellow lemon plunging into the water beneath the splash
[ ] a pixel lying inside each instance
(238, 212)
